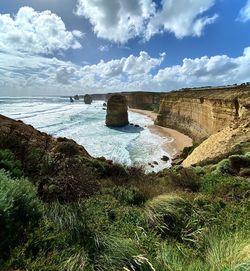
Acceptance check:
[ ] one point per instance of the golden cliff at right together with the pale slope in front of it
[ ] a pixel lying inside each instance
(219, 118)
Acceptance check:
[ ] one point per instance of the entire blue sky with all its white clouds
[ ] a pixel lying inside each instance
(67, 47)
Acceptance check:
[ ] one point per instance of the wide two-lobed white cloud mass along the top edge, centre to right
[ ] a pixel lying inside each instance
(121, 20)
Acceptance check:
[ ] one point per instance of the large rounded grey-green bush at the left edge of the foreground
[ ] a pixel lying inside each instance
(20, 211)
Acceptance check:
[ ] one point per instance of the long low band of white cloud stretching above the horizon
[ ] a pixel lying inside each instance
(44, 76)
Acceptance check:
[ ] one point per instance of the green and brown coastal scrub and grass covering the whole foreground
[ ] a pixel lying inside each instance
(61, 209)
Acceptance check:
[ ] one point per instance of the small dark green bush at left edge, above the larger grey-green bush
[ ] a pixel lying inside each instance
(9, 163)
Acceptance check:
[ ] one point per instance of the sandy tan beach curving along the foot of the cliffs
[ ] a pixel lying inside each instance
(179, 142)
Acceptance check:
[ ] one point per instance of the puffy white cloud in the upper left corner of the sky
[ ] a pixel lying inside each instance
(36, 32)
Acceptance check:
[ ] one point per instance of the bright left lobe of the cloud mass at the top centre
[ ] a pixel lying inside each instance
(116, 20)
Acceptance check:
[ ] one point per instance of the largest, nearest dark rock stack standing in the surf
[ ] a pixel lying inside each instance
(117, 111)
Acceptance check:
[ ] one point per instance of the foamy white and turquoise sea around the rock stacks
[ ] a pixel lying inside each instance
(86, 125)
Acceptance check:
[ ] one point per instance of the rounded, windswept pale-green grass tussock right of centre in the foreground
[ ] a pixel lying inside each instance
(168, 214)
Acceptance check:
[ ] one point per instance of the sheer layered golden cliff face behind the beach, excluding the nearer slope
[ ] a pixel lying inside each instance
(201, 113)
